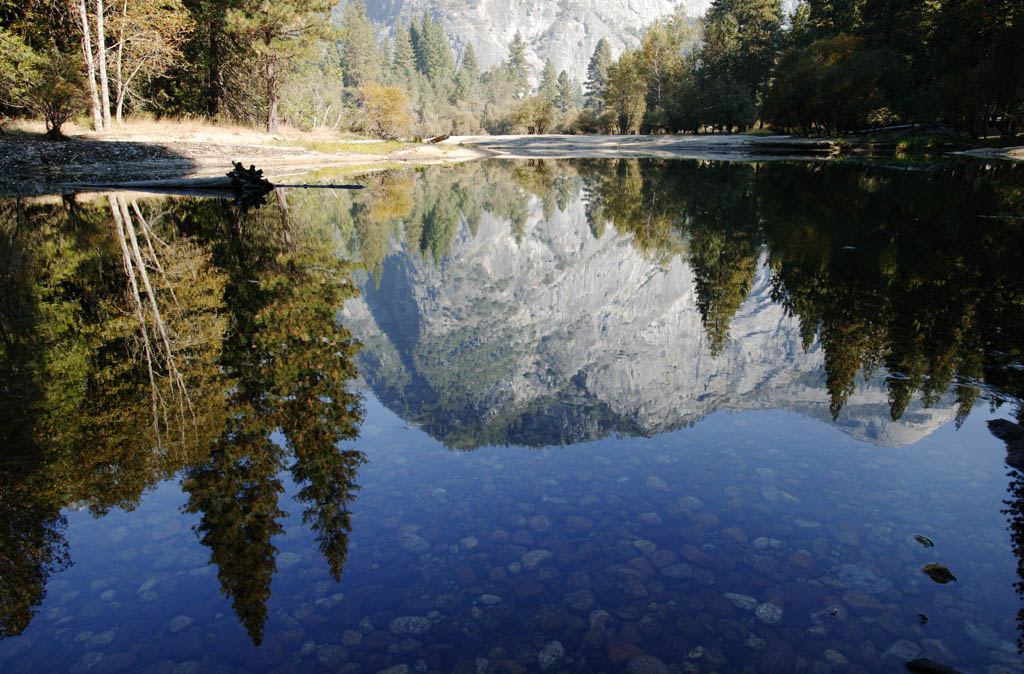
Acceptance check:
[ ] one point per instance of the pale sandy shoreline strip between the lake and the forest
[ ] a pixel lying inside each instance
(30, 166)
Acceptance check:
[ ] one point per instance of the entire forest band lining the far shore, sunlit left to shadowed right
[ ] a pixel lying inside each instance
(833, 67)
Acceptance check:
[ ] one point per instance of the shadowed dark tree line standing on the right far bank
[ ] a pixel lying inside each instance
(830, 68)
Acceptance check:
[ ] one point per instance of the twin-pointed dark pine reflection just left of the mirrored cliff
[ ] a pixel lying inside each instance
(290, 364)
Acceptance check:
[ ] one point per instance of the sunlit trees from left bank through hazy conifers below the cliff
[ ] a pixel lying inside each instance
(259, 63)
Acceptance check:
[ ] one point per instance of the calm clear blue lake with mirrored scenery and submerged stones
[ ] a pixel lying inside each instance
(632, 416)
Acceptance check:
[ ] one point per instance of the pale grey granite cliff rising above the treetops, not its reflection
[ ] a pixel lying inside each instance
(566, 32)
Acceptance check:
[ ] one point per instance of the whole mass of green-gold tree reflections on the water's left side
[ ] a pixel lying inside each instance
(220, 328)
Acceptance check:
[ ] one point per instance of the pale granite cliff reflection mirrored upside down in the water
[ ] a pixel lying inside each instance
(565, 338)
